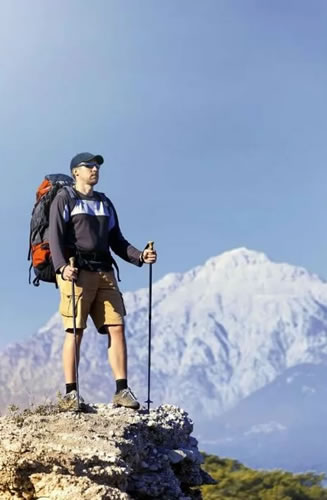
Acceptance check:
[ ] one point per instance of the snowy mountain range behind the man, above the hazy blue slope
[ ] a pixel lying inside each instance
(221, 332)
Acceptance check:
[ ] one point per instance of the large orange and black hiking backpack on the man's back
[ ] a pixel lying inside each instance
(39, 250)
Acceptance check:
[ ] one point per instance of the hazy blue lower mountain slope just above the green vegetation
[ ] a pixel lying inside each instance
(282, 425)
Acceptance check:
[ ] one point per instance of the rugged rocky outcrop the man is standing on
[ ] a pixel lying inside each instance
(108, 453)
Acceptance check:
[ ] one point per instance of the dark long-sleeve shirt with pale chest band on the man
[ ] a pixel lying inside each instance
(87, 224)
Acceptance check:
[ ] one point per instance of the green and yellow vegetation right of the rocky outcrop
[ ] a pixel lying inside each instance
(235, 481)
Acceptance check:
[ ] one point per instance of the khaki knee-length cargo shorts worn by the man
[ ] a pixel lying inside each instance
(96, 294)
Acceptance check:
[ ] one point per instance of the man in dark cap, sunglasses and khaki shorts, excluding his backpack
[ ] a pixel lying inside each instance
(86, 226)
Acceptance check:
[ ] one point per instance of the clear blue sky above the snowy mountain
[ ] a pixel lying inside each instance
(211, 117)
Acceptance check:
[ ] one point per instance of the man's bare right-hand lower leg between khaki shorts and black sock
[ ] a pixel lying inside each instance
(117, 351)
